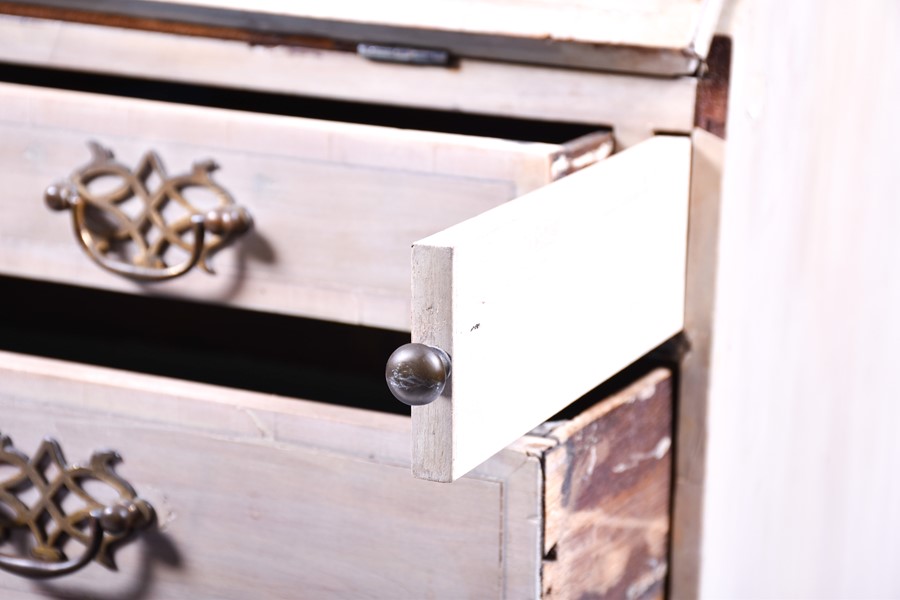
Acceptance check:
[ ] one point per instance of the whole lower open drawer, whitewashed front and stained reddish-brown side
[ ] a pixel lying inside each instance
(262, 496)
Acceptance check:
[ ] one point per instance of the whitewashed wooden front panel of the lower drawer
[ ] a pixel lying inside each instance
(258, 495)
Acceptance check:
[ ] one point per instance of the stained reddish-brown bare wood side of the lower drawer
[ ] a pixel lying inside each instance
(607, 488)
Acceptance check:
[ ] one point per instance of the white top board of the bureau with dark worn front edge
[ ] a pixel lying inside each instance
(665, 37)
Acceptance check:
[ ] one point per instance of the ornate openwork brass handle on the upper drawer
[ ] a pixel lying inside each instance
(136, 247)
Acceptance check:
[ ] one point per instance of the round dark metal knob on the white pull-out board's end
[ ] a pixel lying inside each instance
(416, 374)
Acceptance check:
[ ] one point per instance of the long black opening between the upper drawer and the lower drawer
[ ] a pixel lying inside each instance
(289, 356)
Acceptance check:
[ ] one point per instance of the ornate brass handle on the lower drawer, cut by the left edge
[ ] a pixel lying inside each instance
(96, 526)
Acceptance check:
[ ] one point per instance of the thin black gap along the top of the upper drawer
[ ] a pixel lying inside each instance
(525, 130)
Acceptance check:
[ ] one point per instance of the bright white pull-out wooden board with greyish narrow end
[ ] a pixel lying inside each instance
(542, 299)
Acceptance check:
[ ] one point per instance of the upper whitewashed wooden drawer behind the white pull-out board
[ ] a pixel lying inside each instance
(336, 206)
